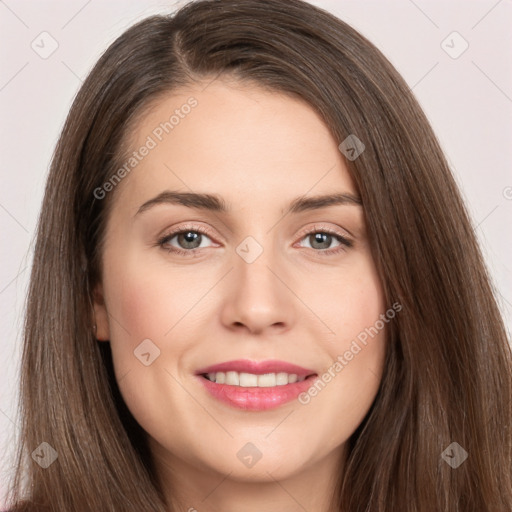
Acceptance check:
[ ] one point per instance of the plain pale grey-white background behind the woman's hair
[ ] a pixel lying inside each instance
(467, 99)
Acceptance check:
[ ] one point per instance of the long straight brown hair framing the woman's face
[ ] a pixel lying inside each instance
(448, 369)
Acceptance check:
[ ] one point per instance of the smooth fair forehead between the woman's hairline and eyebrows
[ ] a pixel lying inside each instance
(246, 143)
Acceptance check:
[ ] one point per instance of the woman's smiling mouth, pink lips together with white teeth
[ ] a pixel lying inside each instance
(256, 386)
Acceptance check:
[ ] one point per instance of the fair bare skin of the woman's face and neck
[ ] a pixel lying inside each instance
(259, 150)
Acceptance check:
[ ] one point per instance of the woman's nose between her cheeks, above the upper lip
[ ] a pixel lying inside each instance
(258, 298)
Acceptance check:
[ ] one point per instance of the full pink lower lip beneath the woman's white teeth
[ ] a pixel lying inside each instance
(254, 398)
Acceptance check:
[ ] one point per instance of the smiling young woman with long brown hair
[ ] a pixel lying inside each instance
(332, 343)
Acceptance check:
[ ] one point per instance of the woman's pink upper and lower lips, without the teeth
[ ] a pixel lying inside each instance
(253, 398)
